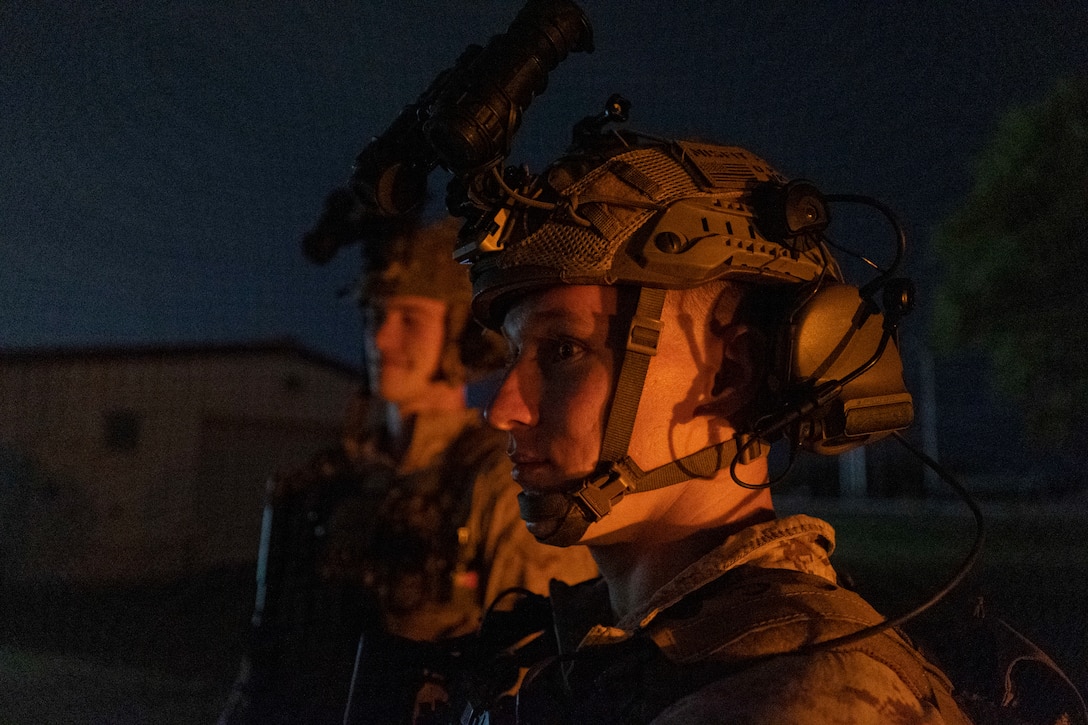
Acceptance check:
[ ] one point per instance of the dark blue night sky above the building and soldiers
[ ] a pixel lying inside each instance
(162, 161)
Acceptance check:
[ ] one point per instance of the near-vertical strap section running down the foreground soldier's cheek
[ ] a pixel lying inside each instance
(642, 337)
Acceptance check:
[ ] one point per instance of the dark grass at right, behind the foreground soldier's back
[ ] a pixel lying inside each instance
(1033, 573)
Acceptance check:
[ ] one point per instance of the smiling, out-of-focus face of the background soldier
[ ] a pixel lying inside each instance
(405, 337)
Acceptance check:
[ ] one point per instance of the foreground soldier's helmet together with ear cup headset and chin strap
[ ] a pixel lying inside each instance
(658, 215)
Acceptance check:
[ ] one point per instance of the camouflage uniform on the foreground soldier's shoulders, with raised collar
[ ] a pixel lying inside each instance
(700, 650)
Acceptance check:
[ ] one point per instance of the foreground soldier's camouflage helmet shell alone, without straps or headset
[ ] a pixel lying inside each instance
(667, 215)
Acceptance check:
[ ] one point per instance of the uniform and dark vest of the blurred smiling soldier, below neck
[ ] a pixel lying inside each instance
(407, 550)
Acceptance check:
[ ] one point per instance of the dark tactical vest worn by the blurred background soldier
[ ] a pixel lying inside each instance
(343, 549)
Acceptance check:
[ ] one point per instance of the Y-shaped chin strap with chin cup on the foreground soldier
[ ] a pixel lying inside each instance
(590, 500)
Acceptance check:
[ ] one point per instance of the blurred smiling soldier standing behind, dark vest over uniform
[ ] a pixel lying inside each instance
(406, 533)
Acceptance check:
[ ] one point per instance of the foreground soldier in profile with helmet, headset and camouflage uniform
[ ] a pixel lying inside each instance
(670, 310)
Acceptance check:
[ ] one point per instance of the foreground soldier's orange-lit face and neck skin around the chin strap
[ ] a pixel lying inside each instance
(553, 403)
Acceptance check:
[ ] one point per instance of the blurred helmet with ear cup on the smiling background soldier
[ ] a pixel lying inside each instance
(413, 259)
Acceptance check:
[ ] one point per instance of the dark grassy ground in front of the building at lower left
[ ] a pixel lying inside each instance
(163, 655)
